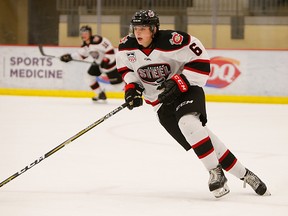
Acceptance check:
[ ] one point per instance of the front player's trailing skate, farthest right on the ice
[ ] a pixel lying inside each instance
(255, 182)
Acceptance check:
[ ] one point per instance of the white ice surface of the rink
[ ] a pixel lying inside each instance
(128, 165)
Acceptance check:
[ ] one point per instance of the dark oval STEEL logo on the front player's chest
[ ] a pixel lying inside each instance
(154, 73)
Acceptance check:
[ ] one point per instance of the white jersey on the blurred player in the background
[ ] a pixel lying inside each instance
(101, 50)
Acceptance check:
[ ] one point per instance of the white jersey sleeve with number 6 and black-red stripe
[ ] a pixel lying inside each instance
(197, 63)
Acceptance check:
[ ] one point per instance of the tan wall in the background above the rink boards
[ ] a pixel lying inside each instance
(258, 33)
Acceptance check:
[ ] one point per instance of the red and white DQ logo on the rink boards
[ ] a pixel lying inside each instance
(224, 71)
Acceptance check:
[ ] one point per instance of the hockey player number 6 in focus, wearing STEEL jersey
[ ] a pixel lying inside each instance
(169, 68)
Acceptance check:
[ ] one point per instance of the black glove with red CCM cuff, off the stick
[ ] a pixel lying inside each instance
(173, 88)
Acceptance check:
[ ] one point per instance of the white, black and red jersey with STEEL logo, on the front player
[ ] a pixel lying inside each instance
(172, 52)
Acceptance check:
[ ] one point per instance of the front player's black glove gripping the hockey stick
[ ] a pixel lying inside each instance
(133, 95)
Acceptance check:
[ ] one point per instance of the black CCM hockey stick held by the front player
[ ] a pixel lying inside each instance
(57, 148)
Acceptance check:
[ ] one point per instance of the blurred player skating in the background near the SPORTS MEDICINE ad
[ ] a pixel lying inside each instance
(102, 51)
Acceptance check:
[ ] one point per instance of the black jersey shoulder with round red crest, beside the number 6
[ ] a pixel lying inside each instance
(169, 40)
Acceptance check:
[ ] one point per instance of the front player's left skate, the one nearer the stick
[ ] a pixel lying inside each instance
(217, 182)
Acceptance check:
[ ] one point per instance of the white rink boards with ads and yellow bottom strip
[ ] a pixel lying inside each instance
(255, 76)
